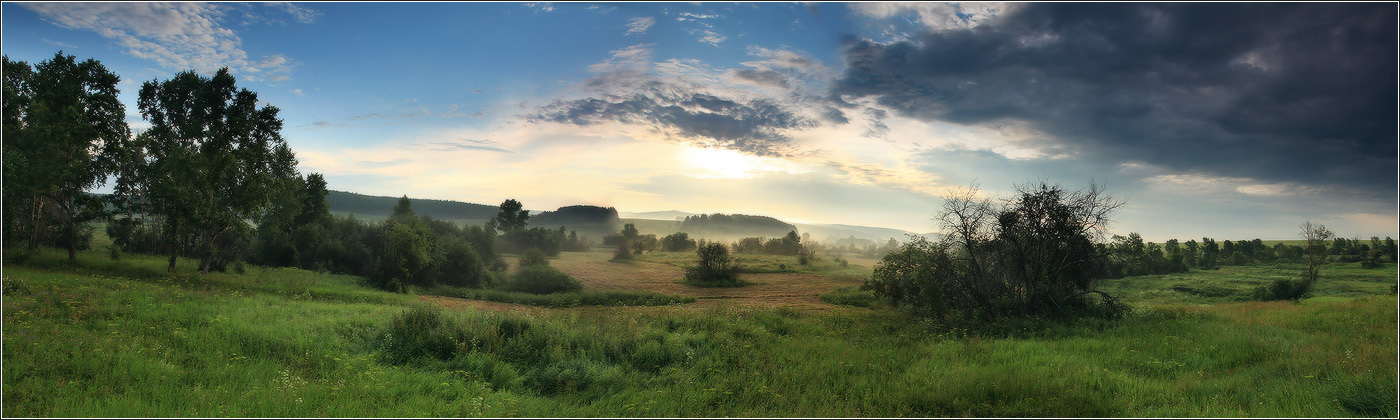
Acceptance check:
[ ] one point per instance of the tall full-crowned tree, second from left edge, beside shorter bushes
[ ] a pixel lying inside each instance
(212, 156)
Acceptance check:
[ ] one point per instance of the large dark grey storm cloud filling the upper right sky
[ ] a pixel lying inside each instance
(1300, 93)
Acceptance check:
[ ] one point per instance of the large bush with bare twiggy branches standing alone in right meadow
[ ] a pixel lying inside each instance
(1035, 257)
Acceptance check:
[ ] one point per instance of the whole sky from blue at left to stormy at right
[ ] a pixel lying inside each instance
(1233, 121)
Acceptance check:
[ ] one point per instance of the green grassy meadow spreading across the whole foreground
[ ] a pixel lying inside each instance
(124, 338)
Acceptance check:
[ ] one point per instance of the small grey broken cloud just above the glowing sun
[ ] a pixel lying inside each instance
(751, 127)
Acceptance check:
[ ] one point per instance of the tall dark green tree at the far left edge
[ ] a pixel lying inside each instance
(71, 128)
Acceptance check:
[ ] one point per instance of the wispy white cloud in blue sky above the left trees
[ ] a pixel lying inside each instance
(176, 36)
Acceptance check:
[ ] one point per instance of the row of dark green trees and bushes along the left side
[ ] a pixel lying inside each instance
(213, 180)
